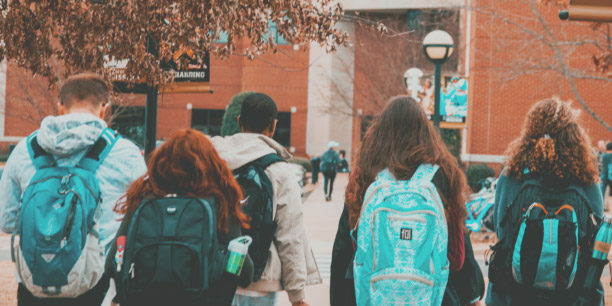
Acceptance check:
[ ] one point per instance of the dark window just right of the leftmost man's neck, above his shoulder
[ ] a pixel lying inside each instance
(129, 122)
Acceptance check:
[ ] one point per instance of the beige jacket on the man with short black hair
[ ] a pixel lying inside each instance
(291, 265)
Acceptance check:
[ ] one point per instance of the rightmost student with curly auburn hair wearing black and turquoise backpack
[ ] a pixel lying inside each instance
(546, 202)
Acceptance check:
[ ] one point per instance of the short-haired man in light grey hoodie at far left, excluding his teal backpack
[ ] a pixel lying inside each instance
(67, 137)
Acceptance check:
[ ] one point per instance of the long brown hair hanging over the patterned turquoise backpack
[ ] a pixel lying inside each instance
(401, 139)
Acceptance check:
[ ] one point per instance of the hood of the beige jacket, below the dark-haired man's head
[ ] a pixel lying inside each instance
(240, 149)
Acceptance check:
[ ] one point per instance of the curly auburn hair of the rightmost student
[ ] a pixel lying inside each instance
(553, 143)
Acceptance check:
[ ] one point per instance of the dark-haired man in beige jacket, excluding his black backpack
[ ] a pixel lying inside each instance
(291, 265)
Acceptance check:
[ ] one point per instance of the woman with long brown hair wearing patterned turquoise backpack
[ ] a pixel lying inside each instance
(406, 205)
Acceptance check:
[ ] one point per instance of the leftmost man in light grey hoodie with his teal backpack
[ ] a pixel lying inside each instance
(57, 195)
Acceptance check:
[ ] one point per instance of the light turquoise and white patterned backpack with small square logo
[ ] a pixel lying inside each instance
(402, 240)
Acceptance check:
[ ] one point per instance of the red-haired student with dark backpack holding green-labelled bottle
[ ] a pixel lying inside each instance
(178, 221)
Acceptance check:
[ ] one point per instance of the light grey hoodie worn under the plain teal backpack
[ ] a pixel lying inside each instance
(68, 138)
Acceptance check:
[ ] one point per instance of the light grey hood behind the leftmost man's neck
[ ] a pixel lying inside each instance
(68, 134)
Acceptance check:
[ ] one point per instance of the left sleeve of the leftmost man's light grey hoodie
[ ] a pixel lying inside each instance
(10, 190)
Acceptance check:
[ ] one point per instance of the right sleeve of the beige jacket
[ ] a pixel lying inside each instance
(290, 232)
